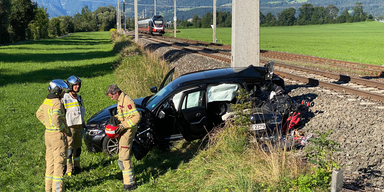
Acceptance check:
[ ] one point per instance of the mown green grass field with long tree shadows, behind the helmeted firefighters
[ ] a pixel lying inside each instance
(26, 71)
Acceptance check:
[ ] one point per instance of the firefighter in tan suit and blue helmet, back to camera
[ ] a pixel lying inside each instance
(51, 114)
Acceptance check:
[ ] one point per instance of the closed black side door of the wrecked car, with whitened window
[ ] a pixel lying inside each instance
(192, 116)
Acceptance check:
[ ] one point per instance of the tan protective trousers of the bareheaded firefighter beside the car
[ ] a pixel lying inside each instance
(125, 144)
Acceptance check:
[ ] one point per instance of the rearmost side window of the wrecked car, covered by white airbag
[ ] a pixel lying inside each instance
(222, 92)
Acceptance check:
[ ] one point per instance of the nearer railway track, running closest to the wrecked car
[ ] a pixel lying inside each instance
(351, 85)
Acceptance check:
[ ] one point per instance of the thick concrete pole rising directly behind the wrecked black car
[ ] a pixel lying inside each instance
(245, 33)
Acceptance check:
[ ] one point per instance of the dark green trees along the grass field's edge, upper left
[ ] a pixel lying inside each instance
(24, 20)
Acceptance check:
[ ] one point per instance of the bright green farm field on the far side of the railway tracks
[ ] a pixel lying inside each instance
(356, 42)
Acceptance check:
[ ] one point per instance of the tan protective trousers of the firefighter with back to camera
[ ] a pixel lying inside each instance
(56, 152)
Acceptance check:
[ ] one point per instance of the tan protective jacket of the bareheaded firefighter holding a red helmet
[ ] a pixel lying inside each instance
(126, 111)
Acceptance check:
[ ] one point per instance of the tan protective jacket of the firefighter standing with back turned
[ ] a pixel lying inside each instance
(51, 113)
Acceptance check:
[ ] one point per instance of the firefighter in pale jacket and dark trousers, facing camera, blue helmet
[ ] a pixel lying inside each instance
(74, 106)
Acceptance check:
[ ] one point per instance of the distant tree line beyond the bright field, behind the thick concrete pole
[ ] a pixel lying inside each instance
(307, 15)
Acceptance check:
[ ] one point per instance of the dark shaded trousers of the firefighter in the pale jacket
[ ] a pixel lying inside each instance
(74, 139)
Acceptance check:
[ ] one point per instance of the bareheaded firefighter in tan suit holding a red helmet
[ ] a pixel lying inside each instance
(128, 117)
